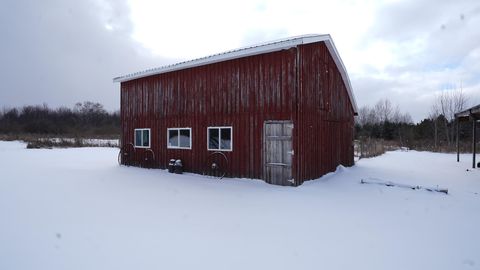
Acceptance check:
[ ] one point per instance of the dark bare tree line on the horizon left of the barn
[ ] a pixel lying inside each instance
(84, 119)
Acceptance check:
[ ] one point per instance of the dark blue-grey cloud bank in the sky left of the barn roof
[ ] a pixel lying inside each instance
(61, 52)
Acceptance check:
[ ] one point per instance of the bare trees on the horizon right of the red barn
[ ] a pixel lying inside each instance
(437, 132)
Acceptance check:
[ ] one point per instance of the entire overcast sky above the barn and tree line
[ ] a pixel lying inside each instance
(61, 52)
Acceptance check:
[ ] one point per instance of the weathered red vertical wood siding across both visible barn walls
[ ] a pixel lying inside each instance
(243, 93)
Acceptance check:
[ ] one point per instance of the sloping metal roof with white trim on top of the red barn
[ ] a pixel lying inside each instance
(271, 46)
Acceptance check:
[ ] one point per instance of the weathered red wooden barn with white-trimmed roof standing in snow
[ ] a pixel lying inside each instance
(281, 111)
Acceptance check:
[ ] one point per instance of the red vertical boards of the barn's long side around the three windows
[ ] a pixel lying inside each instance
(242, 93)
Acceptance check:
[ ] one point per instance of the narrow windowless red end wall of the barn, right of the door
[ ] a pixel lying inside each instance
(324, 124)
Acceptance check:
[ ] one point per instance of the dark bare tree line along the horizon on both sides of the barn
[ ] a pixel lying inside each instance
(383, 121)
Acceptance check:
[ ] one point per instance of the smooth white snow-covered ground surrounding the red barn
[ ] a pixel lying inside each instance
(77, 209)
